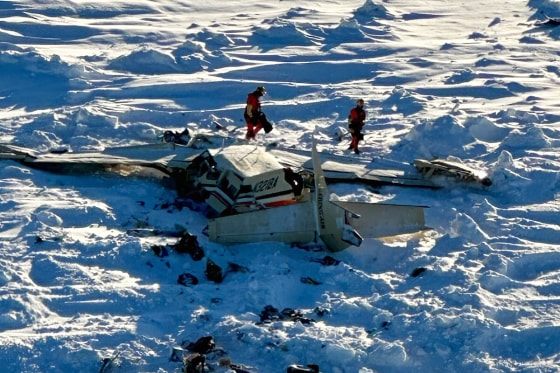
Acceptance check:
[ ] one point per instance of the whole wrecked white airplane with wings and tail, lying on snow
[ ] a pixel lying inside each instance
(258, 194)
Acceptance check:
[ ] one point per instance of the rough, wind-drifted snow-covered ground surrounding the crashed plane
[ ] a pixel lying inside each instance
(474, 81)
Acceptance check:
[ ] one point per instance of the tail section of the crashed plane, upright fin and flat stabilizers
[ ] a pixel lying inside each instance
(306, 215)
